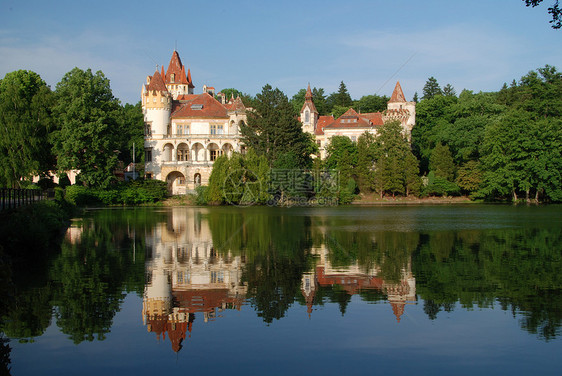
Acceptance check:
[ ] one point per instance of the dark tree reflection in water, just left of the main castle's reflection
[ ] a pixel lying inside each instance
(90, 275)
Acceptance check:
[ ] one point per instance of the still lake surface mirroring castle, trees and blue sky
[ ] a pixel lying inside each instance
(350, 290)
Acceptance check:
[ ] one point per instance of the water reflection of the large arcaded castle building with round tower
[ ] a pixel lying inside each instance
(186, 276)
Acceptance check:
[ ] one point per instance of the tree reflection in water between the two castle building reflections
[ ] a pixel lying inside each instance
(275, 248)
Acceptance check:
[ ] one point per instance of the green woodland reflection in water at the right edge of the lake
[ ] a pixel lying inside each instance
(520, 269)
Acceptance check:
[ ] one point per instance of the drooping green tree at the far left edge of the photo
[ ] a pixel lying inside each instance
(25, 121)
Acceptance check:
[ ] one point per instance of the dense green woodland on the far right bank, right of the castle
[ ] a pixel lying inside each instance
(501, 145)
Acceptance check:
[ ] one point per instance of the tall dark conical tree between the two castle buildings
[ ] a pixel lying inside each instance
(273, 129)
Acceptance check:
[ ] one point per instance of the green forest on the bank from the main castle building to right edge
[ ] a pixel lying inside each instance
(493, 146)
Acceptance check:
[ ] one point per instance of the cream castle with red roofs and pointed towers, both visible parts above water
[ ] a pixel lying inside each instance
(186, 132)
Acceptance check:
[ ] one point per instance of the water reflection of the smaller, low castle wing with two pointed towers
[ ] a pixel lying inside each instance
(354, 279)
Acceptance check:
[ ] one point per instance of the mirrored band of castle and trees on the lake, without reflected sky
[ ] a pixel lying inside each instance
(190, 265)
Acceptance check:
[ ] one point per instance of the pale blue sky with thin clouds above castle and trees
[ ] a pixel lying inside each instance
(477, 44)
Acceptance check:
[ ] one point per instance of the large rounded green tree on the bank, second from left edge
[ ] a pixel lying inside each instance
(89, 127)
